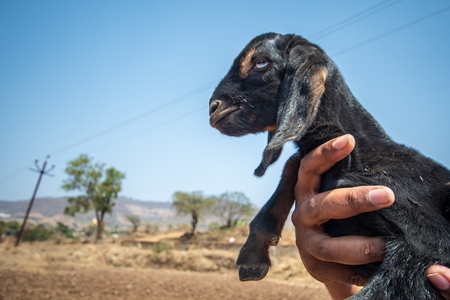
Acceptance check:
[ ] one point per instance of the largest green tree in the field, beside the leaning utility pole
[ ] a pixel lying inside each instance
(98, 188)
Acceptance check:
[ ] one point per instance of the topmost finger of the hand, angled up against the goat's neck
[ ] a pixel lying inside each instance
(319, 160)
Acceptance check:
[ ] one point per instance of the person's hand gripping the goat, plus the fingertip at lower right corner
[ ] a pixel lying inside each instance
(328, 259)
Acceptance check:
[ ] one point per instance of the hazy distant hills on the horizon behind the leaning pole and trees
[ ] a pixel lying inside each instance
(51, 211)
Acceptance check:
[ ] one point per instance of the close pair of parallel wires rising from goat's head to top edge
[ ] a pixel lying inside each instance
(353, 19)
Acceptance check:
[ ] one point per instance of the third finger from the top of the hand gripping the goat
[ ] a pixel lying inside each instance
(347, 250)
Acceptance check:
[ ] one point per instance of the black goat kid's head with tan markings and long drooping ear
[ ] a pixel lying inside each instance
(274, 85)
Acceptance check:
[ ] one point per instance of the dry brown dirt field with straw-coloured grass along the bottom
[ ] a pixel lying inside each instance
(112, 271)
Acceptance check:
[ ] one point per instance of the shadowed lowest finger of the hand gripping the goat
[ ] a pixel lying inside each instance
(329, 271)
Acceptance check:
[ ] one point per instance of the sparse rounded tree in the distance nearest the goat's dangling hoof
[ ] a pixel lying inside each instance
(231, 207)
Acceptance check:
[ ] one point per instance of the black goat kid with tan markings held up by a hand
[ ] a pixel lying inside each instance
(289, 87)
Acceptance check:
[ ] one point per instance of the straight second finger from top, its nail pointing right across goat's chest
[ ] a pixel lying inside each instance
(342, 203)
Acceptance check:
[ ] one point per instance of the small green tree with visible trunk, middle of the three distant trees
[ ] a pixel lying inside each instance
(194, 204)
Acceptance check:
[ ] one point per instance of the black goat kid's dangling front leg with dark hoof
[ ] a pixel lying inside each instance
(265, 229)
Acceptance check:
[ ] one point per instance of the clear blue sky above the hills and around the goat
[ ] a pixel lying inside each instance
(128, 83)
